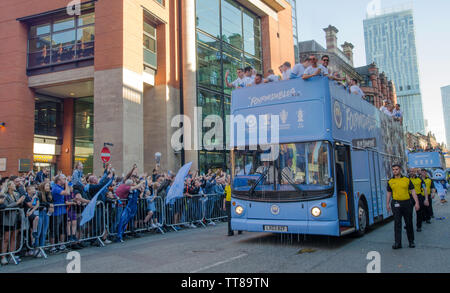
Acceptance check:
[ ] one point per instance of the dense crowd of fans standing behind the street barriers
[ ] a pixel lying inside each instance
(53, 206)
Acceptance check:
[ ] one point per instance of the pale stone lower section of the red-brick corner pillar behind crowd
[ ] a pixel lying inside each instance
(118, 112)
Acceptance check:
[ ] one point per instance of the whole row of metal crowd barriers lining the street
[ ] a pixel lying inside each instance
(61, 227)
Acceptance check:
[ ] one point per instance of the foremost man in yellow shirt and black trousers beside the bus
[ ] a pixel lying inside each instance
(401, 205)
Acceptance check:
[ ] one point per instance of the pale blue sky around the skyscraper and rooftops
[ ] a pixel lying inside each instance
(432, 24)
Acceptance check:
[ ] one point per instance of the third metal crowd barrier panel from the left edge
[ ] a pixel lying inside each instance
(146, 214)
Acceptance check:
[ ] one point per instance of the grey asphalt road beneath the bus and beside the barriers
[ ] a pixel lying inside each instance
(208, 250)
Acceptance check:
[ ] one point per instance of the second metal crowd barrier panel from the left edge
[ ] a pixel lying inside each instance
(62, 228)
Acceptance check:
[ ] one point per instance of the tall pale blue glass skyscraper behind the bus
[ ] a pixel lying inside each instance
(390, 43)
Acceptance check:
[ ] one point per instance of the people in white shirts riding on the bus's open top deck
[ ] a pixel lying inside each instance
(307, 69)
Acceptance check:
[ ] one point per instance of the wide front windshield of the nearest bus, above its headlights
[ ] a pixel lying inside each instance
(301, 170)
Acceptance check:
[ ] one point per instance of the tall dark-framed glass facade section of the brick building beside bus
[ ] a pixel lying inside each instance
(228, 38)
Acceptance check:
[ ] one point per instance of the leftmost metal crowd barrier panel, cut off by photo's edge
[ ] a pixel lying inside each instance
(12, 240)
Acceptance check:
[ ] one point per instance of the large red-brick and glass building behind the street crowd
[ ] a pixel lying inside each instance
(116, 72)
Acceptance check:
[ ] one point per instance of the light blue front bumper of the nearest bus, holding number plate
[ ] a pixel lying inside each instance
(311, 227)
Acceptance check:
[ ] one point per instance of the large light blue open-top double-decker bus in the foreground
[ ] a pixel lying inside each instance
(327, 173)
